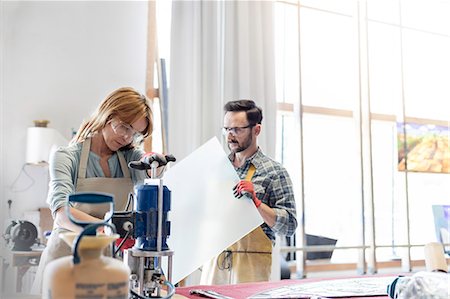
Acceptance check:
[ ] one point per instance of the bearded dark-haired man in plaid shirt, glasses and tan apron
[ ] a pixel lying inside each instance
(267, 183)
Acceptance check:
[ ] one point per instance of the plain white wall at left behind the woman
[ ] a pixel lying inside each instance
(58, 61)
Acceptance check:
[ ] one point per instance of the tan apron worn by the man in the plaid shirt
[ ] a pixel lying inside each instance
(247, 260)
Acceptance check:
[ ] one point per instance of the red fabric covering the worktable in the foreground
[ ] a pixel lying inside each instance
(245, 290)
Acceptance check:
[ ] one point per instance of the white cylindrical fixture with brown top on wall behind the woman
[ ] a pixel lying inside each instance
(41, 141)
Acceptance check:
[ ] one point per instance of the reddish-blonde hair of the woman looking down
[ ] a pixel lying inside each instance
(126, 104)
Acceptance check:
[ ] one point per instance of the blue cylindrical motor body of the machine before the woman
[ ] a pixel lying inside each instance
(146, 221)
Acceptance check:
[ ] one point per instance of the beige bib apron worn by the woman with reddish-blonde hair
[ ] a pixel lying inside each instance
(119, 187)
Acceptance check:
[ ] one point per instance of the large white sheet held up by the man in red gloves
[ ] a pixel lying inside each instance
(206, 217)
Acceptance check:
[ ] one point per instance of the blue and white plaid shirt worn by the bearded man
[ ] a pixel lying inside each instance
(274, 188)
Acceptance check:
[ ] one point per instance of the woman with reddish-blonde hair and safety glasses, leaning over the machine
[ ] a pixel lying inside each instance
(96, 161)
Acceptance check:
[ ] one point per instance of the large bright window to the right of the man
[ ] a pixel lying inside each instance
(332, 57)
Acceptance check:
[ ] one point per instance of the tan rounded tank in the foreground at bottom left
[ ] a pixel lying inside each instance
(88, 273)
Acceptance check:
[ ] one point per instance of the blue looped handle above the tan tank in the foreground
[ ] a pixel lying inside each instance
(90, 198)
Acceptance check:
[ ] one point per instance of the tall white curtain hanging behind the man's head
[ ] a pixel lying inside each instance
(220, 51)
